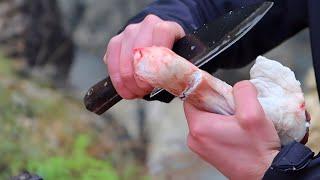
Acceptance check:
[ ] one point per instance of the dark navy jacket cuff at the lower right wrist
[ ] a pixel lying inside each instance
(294, 161)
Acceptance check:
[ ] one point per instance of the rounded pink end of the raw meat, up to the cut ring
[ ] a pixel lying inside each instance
(159, 67)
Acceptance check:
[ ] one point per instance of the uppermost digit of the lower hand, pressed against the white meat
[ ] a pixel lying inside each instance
(248, 109)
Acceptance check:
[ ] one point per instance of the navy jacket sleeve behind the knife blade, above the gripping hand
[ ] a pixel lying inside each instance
(285, 19)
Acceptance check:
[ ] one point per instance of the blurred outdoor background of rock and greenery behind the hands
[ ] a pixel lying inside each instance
(51, 53)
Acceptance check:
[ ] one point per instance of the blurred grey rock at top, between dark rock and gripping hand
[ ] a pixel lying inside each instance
(93, 22)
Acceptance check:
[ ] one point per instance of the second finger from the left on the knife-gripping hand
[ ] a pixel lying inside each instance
(126, 61)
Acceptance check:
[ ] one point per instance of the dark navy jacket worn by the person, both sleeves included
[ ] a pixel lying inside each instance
(284, 20)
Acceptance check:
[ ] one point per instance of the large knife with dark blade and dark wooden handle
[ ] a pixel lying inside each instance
(199, 47)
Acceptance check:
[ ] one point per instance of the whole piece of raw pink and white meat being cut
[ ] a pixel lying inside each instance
(279, 92)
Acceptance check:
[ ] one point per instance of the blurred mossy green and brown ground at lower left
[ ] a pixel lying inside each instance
(48, 132)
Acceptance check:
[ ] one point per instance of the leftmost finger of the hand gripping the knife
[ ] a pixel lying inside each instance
(111, 59)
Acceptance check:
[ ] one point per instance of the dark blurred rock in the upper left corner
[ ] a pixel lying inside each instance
(33, 30)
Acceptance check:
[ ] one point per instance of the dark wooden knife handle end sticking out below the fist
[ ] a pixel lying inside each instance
(101, 97)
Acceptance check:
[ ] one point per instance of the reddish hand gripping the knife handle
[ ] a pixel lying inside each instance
(119, 56)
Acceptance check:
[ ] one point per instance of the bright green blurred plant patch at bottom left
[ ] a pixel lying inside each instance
(79, 165)
